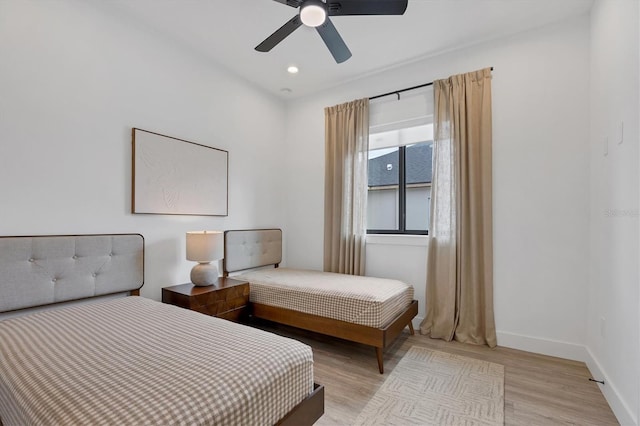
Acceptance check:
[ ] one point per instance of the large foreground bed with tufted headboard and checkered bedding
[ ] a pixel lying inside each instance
(130, 360)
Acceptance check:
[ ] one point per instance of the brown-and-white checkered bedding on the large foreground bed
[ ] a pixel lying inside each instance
(135, 361)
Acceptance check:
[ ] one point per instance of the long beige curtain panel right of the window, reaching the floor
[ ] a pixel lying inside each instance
(460, 253)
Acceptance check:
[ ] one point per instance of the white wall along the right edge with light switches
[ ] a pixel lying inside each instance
(613, 315)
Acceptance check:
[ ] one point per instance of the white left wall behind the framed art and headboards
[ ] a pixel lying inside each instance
(75, 77)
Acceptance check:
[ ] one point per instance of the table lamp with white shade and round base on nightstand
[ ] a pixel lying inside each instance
(205, 247)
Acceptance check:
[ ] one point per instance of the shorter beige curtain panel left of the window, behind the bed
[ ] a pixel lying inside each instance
(345, 199)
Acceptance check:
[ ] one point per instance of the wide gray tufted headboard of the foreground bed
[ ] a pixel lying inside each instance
(40, 270)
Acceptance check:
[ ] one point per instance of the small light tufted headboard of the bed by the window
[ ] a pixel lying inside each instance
(251, 248)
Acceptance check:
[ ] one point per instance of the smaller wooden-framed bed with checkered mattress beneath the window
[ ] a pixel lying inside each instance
(372, 311)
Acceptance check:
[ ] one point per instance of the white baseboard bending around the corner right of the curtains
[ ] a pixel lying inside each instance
(575, 352)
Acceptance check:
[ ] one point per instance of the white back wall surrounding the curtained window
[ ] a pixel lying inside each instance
(541, 173)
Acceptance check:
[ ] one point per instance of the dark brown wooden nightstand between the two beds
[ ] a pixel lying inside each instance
(227, 298)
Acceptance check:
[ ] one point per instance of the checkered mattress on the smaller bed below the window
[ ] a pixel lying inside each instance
(372, 302)
